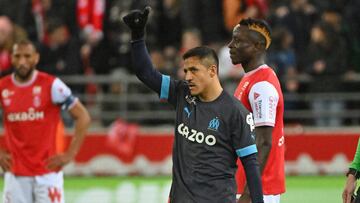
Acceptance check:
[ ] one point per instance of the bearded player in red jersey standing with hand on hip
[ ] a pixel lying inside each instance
(31, 102)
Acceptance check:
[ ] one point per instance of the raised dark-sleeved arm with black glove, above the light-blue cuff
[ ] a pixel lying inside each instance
(144, 70)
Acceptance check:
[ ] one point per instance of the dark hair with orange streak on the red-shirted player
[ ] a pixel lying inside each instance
(260, 26)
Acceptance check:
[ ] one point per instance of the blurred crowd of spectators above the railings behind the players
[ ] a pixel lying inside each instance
(315, 40)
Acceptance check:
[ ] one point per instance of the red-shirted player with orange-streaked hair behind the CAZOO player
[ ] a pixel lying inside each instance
(259, 90)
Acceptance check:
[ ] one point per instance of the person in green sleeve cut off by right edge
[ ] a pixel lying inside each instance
(352, 175)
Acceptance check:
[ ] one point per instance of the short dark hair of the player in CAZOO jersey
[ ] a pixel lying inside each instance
(203, 52)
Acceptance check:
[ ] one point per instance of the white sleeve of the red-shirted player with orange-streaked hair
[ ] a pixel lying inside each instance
(263, 99)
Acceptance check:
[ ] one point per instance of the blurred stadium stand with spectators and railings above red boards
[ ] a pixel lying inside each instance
(315, 52)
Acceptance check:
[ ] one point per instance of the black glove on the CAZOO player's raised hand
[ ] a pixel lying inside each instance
(136, 21)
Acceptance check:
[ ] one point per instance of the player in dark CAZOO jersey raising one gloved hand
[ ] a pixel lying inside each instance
(212, 129)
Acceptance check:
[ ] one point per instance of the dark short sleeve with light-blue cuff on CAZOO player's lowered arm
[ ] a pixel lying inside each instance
(244, 135)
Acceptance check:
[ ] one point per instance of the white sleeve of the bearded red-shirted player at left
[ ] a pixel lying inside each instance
(61, 95)
